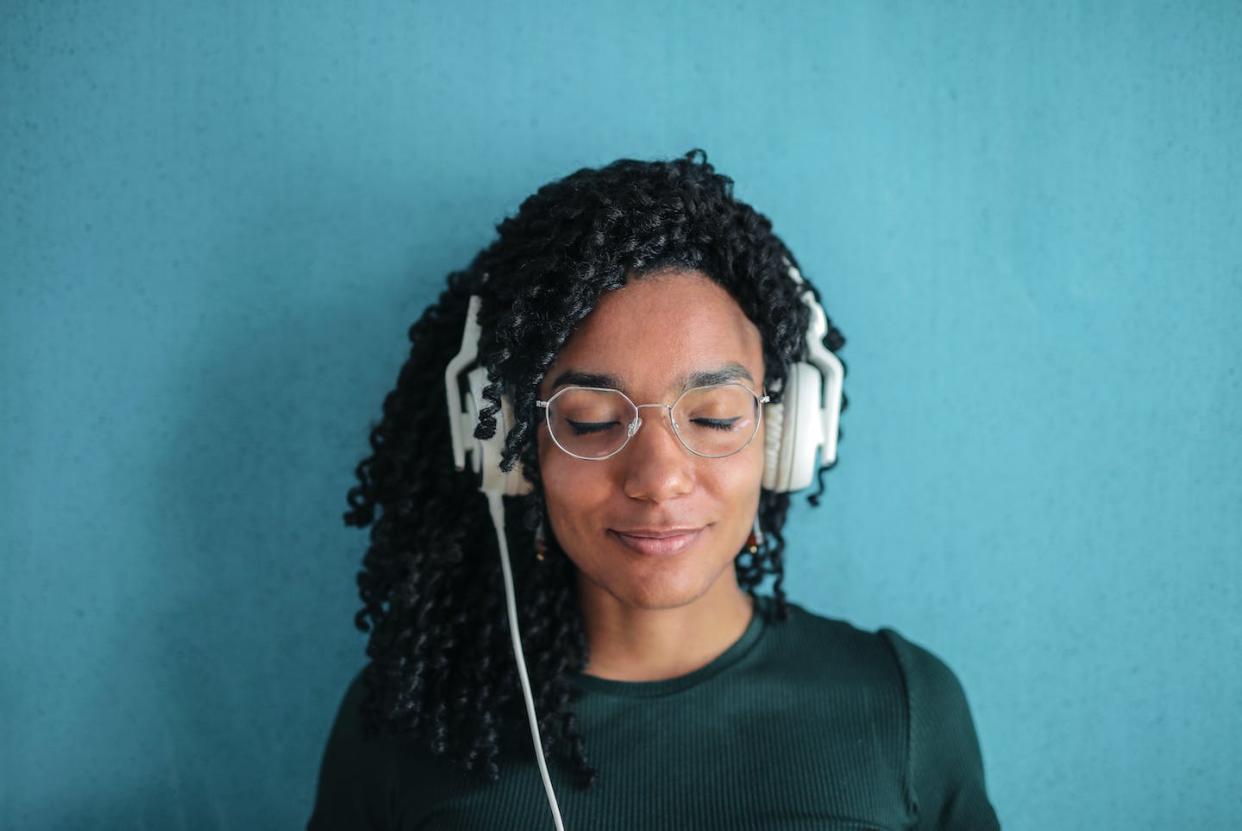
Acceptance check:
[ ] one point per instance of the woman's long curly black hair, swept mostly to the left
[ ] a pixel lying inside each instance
(442, 666)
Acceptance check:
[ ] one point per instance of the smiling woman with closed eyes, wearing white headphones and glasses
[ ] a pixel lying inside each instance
(643, 337)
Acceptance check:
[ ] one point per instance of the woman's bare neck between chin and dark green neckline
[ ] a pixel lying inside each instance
(635, 644)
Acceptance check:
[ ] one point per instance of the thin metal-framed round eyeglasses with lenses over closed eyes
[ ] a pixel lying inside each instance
(596, 423)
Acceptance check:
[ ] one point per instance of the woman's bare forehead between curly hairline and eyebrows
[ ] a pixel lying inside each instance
(659, 331)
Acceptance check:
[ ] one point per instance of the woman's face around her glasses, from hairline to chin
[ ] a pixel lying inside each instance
(651, 336)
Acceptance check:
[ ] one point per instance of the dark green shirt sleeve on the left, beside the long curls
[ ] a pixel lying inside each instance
(356, 774)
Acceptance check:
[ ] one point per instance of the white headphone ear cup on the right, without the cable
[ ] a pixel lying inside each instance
(799, 430)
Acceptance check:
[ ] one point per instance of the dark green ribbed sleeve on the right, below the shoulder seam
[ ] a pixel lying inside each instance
(946, 770)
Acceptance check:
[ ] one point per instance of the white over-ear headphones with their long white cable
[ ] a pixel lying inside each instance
(805, 422)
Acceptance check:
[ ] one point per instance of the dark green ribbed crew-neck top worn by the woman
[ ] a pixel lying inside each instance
(807, 724)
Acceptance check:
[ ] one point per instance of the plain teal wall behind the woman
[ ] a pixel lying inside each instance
(219, 219)
